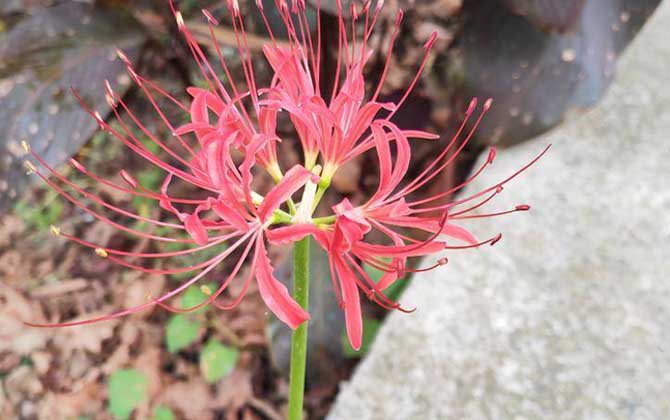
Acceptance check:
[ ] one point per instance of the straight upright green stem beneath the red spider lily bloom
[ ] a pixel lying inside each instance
(299, 337)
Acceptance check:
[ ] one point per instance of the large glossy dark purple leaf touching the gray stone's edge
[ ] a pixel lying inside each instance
(536, 77)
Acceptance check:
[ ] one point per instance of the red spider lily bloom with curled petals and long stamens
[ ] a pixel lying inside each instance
(232, 133)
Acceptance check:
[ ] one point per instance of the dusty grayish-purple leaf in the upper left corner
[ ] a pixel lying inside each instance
(71, 45)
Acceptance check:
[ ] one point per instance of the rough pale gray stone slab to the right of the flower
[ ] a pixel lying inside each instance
(569, 316)
